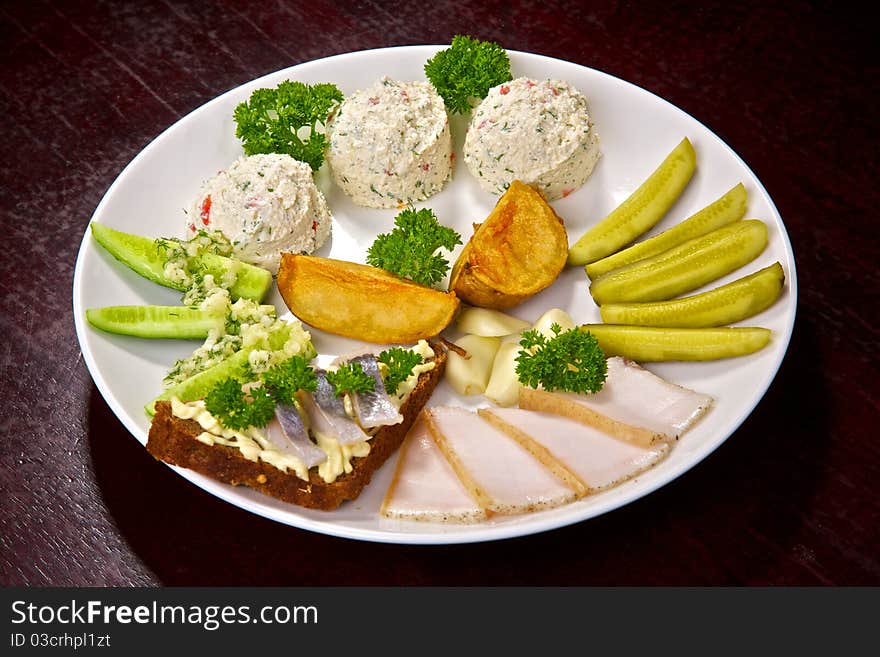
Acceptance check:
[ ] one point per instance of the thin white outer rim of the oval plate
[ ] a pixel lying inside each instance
(458, 534)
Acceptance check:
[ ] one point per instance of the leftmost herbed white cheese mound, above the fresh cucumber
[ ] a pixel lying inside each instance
(265, 205)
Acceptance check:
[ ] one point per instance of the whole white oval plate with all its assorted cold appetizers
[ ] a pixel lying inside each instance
(434, 294)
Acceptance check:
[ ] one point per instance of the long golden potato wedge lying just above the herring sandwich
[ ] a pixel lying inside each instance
(362, 302)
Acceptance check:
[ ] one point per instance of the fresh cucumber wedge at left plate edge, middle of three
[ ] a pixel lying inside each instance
(180, 322)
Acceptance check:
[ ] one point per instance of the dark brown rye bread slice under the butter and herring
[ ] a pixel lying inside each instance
(173, 440)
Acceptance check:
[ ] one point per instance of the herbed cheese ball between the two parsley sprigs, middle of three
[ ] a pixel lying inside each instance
(390, 144)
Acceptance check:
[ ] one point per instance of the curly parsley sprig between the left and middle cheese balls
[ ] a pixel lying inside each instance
(270, 120)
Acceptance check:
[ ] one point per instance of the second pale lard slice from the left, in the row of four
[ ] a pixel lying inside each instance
(500, 475)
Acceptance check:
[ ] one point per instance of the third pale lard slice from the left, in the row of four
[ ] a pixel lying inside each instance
(598, 460)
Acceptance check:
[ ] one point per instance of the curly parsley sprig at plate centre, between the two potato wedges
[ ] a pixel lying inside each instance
(409, 250)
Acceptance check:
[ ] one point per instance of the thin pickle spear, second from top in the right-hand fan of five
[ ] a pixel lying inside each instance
(725, 210)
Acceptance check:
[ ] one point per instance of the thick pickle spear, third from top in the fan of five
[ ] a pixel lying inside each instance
(685, 267)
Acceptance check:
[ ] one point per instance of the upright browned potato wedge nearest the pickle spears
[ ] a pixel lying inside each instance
(519, 250)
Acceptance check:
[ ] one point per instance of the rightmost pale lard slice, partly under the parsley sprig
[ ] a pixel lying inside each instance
(634, 405)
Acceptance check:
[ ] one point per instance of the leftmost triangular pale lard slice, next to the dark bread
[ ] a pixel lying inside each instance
(425, 487)
